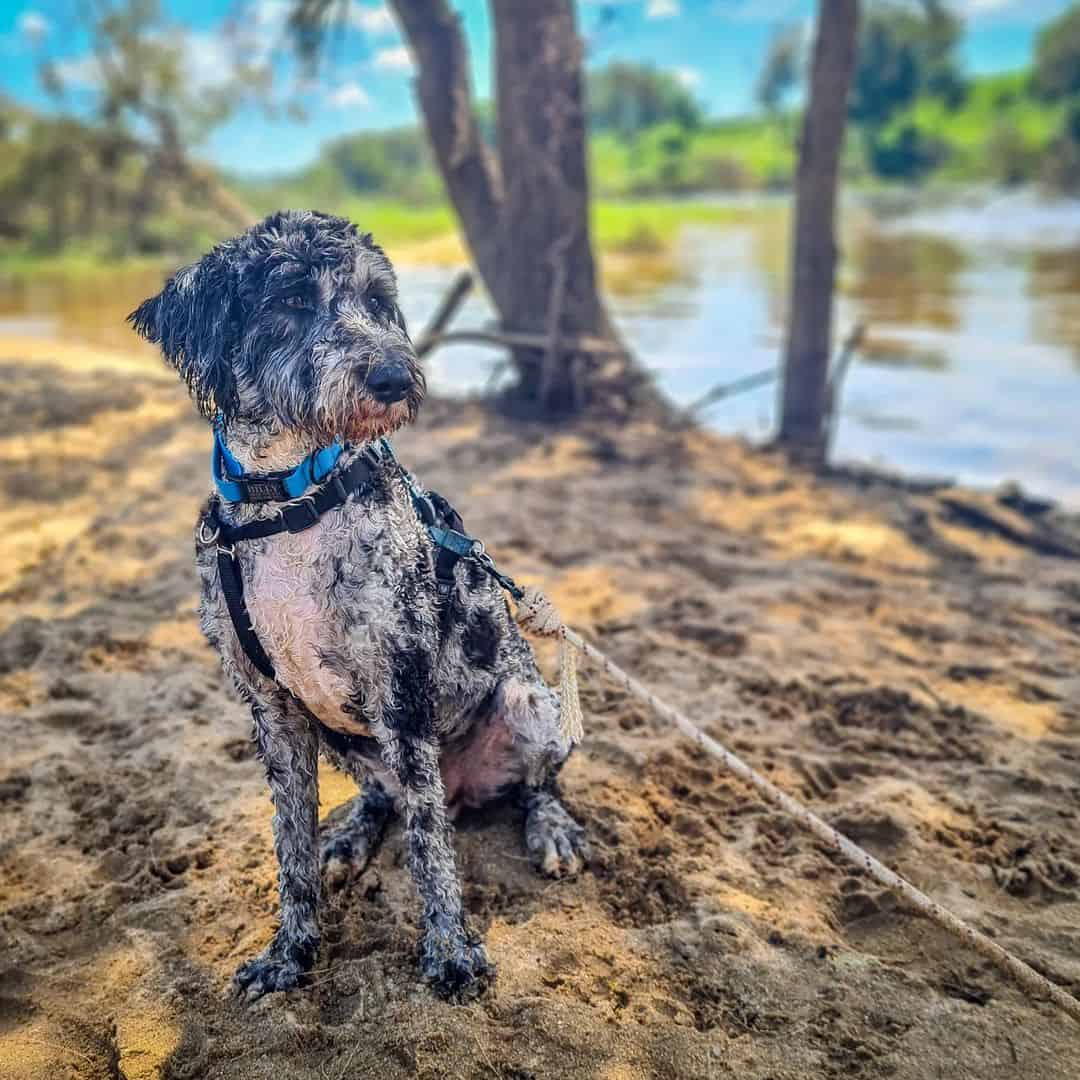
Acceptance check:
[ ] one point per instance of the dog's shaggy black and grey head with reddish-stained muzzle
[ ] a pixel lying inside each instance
(294, 322)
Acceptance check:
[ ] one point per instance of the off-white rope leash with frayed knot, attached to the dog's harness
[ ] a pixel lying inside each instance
(537, 615)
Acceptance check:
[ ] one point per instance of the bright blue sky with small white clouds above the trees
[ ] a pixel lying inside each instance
(714, 46)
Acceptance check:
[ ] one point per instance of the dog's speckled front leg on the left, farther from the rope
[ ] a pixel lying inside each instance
(289, 748)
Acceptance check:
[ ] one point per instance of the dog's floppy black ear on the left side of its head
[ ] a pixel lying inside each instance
(195, 320)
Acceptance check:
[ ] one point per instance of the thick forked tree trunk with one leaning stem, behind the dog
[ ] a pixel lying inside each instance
(523, 205)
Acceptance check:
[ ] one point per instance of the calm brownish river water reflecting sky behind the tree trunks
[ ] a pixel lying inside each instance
(971, 369)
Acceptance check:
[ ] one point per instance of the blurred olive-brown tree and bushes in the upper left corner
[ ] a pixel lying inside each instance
(123, 179)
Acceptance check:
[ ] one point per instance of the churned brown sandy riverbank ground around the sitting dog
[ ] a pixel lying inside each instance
(910, 673)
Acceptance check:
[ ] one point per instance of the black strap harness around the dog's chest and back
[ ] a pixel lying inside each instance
(443, 522)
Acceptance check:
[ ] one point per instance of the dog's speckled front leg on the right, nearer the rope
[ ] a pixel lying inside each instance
(453, 961)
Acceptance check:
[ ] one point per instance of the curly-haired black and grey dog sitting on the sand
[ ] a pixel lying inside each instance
(291, 340)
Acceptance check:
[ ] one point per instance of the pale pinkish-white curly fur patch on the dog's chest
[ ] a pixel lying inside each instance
(295, 616)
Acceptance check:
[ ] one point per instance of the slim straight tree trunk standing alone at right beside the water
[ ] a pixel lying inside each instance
(814, 265)
